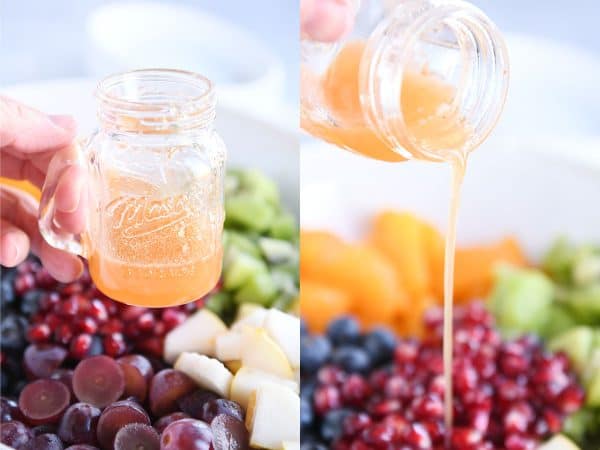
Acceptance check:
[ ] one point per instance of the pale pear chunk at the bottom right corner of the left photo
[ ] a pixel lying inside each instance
(273, 416)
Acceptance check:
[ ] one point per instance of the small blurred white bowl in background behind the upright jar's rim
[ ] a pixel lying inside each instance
(141, 34)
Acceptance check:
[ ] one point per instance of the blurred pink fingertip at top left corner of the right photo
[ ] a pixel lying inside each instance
(326, 20)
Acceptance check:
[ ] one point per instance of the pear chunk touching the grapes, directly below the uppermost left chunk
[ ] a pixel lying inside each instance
(209, 373)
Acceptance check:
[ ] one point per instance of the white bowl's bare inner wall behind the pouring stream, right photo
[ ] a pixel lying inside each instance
(520, 190)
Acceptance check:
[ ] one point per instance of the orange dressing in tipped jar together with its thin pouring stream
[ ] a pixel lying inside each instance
(424, 103)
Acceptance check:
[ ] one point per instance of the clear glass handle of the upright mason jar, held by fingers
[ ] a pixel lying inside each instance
(61, 168)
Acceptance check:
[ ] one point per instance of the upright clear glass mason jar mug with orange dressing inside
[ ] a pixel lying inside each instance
(155, 190)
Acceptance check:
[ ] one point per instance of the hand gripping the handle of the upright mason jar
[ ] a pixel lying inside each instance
(29, 142)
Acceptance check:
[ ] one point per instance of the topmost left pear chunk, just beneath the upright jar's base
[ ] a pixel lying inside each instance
(196, 334)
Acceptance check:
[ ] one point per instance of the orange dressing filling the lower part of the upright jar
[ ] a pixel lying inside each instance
(156, 250)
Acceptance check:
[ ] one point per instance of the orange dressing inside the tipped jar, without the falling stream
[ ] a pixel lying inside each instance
(424, 102)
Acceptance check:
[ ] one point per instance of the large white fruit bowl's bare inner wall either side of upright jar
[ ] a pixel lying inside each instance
(251, 142)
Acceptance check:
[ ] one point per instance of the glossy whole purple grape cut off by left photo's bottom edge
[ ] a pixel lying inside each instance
(186, 434)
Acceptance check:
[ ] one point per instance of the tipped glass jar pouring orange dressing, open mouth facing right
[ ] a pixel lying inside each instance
(419, 79)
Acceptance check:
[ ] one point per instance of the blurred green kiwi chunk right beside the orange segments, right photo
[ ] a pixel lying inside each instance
(520, 300)
